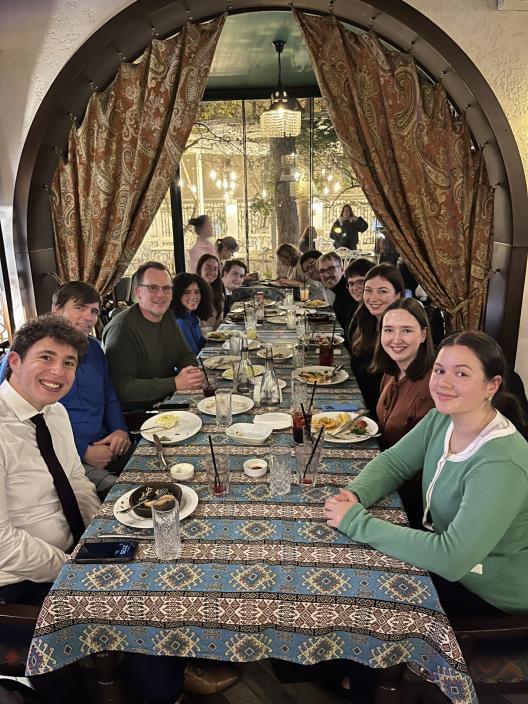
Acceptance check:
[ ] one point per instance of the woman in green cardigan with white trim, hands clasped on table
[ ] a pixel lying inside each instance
(474, 455)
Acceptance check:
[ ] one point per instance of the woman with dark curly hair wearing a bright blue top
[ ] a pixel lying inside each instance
(191, 302)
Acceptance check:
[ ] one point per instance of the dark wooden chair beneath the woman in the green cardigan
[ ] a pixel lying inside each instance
(495, 649)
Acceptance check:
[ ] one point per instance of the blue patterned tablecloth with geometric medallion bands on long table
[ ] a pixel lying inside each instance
(259, 576)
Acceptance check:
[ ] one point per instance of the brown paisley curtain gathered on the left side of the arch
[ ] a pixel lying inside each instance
(122, 159)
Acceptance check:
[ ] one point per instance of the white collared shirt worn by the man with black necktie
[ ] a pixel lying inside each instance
(34, 532)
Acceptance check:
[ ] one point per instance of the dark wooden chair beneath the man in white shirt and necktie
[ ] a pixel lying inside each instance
(13, 657)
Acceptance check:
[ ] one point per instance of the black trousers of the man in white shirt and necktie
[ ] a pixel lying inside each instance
(156, 679)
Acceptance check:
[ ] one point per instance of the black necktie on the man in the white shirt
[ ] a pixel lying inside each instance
(60, 480)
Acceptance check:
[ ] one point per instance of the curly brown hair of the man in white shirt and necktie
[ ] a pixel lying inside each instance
(49, 325)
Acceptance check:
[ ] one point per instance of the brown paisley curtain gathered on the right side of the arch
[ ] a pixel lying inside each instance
(415, 161)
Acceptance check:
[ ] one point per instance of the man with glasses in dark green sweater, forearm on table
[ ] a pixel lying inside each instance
(147, 354)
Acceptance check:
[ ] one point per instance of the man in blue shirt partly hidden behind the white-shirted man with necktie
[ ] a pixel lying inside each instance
(99, 428)
